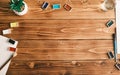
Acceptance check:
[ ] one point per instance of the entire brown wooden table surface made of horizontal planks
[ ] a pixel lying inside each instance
(58, 42)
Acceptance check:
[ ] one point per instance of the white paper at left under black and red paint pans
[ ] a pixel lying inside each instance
(5, 53)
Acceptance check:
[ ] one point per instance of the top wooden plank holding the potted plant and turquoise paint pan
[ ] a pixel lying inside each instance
(87, 10)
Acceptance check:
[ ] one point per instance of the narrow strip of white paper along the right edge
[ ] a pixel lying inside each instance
(118, 25)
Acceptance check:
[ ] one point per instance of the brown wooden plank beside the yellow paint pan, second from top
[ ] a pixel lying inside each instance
(60, 29)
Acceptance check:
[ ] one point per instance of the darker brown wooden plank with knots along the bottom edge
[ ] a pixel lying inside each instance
(98, 67)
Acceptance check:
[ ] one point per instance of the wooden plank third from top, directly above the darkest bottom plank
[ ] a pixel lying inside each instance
(63, 49)
